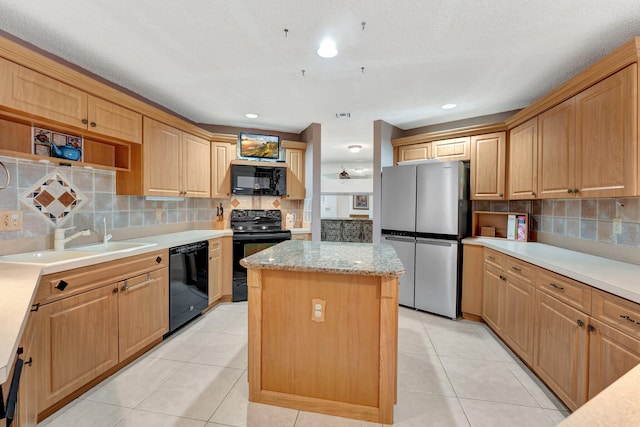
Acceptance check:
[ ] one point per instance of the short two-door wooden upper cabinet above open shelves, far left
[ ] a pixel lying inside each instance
(27, 91)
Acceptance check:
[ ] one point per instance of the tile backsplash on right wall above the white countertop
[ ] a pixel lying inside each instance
(588, 219)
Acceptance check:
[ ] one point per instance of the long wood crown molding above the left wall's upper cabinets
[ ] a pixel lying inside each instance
(35, 61)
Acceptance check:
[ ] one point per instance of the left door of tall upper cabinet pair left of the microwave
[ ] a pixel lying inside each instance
(162, 159)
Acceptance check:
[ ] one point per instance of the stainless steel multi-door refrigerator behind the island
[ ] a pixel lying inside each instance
(425, 214)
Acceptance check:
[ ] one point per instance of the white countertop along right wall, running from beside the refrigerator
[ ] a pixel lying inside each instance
(616, 277)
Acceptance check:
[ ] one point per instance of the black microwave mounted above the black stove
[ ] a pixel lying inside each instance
(259, 180)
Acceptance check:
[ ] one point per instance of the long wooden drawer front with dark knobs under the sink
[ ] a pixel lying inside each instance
(55, 286)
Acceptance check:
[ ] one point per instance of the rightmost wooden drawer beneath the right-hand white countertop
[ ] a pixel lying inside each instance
(618, 312)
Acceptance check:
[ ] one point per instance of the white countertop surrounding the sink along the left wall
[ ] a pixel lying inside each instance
(18, 284)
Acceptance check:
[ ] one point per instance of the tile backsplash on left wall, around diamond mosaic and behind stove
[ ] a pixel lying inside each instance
(120, 212)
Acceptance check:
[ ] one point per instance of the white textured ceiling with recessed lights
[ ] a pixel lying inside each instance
(212, 61)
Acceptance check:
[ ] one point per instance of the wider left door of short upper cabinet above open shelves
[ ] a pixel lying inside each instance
(38, 95)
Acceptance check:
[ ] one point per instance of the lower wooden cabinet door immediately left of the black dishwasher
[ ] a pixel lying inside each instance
(143, 311)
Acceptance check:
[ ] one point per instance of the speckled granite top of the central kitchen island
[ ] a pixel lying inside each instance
(328, 257)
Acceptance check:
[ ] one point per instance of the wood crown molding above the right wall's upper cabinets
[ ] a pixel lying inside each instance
(620, 58)
